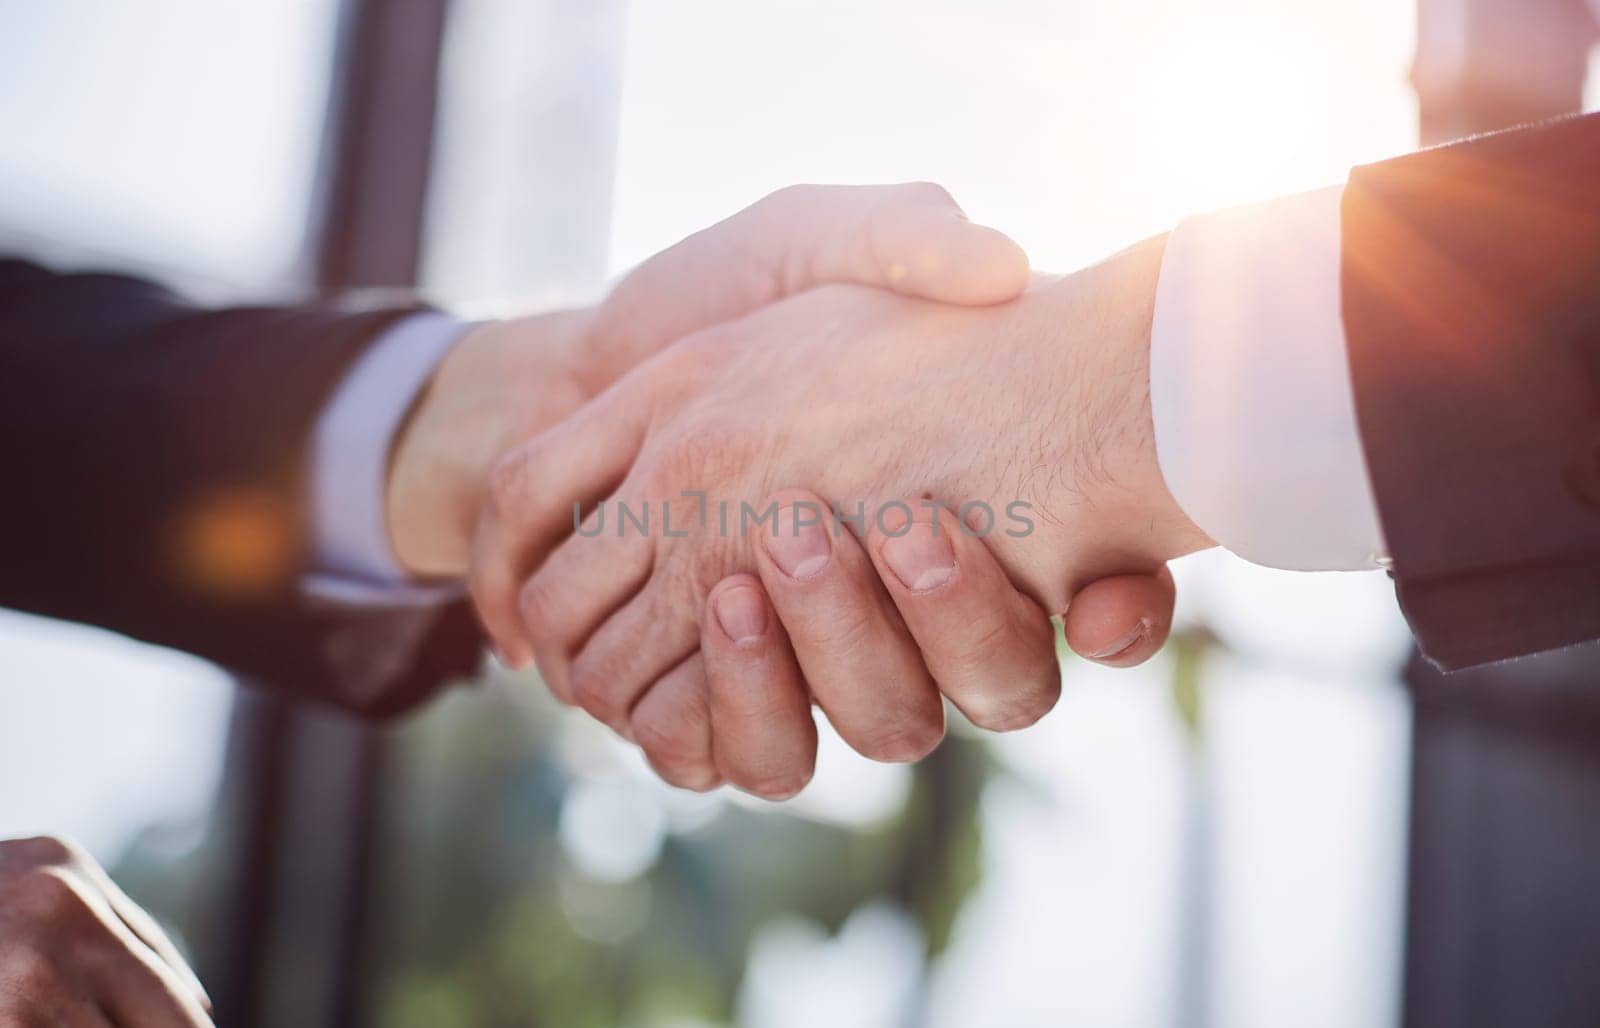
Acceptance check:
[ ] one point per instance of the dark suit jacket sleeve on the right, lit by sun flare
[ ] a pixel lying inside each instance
(1471, 294)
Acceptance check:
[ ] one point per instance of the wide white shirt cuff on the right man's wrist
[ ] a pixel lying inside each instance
(1250, 388)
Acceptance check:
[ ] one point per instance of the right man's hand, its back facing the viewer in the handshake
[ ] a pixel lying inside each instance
(866, 398)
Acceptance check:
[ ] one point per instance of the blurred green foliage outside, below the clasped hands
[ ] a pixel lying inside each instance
(484, 920)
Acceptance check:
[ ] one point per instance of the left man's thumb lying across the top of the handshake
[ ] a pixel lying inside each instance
(910, 238)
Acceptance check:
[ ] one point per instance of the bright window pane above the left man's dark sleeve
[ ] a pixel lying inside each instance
(177, 135)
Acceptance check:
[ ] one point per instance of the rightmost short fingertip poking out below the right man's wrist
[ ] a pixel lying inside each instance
(1122, 620)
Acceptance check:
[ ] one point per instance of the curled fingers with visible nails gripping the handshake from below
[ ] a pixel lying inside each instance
(740, 712)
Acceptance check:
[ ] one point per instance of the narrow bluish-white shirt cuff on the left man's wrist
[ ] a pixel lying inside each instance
(354, 563)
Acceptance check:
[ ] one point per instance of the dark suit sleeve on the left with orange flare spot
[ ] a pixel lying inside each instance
(154, 464)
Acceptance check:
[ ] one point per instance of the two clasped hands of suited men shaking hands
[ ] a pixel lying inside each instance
(841, 449)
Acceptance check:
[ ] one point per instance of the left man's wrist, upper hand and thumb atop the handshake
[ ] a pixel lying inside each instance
(510, 380)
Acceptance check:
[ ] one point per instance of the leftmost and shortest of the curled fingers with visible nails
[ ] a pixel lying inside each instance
(762, 733)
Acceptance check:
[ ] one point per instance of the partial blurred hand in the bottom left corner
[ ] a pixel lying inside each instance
(76, 952)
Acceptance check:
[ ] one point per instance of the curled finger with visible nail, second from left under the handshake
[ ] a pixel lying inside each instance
(852, 646)
